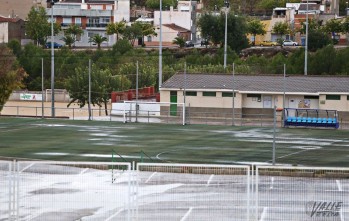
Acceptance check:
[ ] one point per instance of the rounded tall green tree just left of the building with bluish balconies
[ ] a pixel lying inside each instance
(37, 27)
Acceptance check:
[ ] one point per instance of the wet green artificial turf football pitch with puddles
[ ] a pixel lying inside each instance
(67, 140)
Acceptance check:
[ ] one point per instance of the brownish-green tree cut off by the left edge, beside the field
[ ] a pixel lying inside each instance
(11, 75)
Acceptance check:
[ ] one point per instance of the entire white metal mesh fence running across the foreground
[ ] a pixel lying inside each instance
(37, 190)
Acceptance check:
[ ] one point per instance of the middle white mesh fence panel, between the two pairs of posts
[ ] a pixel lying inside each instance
(192, 192)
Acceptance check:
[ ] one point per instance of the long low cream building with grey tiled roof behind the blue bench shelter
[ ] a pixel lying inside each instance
(255, 94)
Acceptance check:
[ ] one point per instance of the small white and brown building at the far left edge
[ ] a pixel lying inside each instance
(11, 29)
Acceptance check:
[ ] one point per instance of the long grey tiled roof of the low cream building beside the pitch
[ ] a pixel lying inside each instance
(260, 84)
